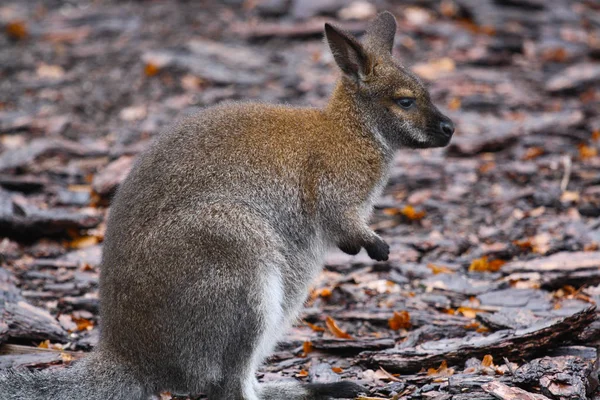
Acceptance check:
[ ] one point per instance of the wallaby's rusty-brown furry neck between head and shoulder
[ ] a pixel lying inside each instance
(343, 109)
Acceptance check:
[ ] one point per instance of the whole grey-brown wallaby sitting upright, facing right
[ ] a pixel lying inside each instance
(213, 239)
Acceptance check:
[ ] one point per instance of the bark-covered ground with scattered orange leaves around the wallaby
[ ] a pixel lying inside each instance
(494, 274)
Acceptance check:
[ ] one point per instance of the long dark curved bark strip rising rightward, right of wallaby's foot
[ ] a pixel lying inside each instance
(510, 343)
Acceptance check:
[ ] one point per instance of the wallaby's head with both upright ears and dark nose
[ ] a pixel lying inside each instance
(390, 99)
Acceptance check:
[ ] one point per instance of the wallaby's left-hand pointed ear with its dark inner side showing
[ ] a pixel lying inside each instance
(348, 53)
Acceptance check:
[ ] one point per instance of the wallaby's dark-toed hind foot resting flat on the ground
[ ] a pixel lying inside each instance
(310, 391)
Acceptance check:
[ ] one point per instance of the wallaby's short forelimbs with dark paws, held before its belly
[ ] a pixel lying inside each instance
(354, 234)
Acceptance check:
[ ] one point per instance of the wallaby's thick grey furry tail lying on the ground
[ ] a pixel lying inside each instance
(92, 378)
